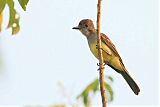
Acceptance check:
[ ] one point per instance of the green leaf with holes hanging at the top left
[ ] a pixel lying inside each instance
(13, 18)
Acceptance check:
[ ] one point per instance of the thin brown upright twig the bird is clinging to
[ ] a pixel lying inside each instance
(101, 65)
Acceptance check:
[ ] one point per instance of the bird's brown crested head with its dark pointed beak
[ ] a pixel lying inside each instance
(86, 27)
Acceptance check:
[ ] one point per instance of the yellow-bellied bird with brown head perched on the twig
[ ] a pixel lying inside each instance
(110, 54)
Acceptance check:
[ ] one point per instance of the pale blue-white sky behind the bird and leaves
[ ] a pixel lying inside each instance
(47, 51)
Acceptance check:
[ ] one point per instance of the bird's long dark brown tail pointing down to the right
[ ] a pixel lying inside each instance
(131, 82)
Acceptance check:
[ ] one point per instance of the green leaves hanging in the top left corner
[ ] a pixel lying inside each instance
(13, 15)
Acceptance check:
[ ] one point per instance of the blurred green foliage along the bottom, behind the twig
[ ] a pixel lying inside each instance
(84, 97)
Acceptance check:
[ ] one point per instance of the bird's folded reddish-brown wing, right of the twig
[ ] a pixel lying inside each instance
(109, 43)
